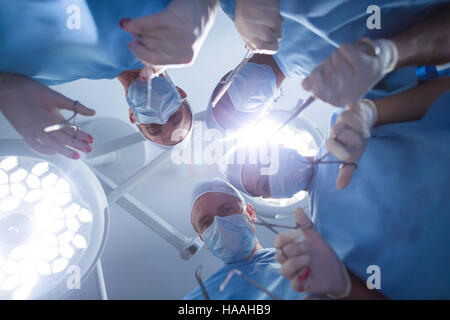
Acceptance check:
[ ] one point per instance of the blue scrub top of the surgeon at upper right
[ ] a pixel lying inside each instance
(311, 30)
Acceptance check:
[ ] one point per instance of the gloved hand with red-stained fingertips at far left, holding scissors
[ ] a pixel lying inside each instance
(31, 106)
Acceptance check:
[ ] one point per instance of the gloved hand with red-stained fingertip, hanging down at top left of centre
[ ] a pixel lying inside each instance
(174, 36)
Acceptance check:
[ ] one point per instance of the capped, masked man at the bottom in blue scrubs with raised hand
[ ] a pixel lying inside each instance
(224, 221)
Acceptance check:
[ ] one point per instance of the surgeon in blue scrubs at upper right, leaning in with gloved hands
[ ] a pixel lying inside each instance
(317, 45)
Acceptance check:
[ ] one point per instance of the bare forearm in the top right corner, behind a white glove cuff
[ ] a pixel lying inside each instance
(427, 43)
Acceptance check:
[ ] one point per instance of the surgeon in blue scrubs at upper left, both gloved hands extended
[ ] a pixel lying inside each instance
(47, 43)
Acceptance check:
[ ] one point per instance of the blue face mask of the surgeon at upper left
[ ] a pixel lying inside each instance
(165, 100)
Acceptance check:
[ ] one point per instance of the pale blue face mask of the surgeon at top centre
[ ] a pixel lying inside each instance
(254, 88)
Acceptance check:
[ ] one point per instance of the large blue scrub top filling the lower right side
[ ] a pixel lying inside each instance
(395, 213)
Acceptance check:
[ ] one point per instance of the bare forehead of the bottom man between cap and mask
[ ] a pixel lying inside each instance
(210, 202)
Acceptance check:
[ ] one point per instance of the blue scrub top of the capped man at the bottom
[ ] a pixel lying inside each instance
(263, 268)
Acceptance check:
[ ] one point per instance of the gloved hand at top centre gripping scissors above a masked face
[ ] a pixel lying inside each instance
(259, 23)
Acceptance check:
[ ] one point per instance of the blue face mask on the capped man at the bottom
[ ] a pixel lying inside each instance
(230, 238)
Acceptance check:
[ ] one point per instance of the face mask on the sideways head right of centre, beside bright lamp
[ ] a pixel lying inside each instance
(293, 175)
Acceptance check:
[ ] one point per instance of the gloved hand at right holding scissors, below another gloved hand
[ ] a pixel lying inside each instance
(348, 137)
